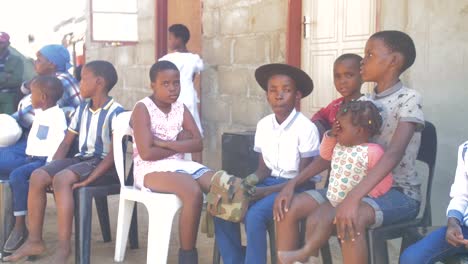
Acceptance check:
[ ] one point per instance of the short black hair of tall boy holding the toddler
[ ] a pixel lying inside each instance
(400, 42)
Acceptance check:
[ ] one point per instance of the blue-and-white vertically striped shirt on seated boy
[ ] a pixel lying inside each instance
(94, 128)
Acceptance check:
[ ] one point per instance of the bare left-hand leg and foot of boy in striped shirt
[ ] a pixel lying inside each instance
(37, 200)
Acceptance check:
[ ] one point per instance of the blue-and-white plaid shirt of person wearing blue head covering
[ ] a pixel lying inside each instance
(70, 100)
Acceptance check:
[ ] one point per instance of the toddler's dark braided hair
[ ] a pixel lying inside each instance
(363, 114)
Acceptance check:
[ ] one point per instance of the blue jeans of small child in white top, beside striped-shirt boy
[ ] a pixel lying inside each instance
(19, 182)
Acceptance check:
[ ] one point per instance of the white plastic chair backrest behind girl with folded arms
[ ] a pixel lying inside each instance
(122, 130)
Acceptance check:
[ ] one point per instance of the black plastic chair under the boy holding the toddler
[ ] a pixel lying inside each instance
(377, 238)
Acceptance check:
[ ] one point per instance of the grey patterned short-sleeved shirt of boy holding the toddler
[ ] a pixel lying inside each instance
(400, 104)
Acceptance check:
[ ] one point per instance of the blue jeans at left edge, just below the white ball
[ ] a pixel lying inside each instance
(13, 156)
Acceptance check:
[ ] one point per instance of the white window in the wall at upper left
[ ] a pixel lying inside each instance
(114, 21)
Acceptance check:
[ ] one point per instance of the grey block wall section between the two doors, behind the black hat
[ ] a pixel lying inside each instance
(238, 36)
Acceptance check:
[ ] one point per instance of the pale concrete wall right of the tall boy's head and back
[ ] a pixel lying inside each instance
(440, 73)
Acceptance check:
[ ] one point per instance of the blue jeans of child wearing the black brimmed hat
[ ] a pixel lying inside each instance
(256, 220)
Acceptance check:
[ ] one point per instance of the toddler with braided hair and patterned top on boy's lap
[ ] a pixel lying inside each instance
(351, 157)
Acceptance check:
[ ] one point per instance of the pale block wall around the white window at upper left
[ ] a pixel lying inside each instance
(132, 62)
